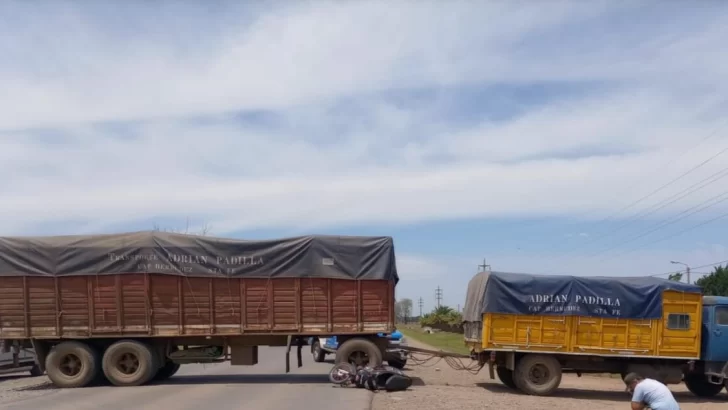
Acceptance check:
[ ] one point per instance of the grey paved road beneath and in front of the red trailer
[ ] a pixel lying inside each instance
(221, 386)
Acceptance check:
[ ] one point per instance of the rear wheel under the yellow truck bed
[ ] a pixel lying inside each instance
(537, 375)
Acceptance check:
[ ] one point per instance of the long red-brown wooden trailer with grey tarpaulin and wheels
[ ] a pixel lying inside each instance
(133, 307)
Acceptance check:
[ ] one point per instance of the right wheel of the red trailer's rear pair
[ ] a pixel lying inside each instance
(130, 363)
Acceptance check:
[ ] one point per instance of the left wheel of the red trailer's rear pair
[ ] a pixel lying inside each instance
(72, 364)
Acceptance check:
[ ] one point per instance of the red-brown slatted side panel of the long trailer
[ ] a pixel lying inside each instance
(166, 305)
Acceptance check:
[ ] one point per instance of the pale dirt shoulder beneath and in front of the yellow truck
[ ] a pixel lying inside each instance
(437, 386)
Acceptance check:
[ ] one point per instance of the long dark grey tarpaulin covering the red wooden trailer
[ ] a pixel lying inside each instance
(342, 257)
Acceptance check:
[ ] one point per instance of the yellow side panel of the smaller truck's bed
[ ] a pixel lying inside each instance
(675, 335)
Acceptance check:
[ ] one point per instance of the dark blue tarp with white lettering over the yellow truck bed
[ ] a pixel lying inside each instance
(611, 297)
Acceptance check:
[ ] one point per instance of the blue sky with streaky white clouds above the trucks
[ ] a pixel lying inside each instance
(498, 130)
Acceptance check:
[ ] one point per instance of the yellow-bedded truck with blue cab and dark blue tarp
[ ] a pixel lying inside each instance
(530, 329)
